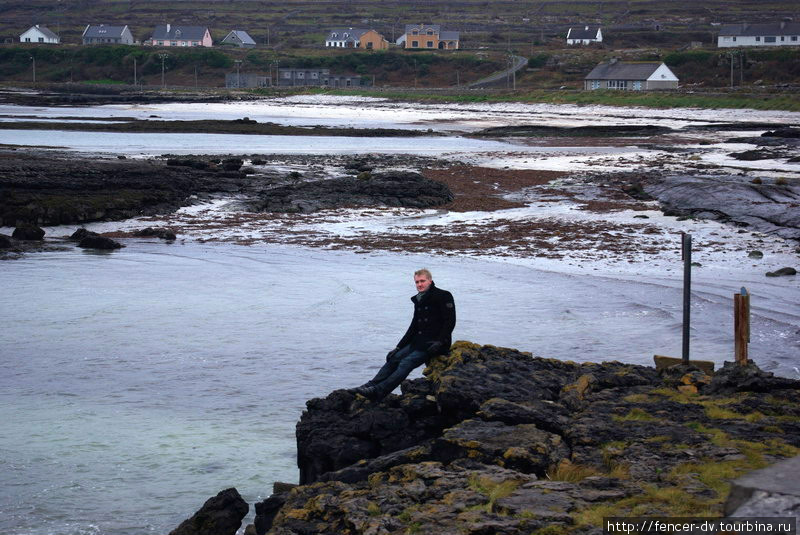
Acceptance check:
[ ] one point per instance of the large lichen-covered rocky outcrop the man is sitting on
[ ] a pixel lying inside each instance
(497, 441)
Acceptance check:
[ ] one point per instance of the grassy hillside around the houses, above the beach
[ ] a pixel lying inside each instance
(291, 33)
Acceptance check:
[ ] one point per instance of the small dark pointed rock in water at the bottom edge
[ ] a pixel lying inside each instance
(220, 515)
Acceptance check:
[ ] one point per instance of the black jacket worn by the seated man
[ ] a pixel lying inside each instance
(434, 320)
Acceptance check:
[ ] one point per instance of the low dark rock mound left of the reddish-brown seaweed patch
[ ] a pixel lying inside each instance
(397, 188)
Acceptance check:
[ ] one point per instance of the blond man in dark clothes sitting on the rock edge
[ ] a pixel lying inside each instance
(429, 334)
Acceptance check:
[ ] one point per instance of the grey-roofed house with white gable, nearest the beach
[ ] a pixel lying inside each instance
(635, 76)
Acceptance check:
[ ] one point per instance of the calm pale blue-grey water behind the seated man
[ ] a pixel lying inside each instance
(136, 384)
